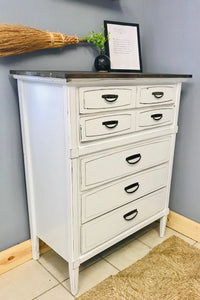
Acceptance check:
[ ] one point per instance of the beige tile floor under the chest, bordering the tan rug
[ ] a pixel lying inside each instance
(48, 278)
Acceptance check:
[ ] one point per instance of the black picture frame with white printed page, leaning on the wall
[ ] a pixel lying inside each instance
(127, 58)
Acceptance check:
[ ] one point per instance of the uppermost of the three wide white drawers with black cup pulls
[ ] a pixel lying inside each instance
(99, 169)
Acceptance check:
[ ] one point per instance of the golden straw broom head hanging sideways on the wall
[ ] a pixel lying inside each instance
(18, 39)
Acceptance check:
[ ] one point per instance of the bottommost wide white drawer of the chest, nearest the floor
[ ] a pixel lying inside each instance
(106, 227)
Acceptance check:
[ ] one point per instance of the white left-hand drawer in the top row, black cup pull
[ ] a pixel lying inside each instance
(101, 98)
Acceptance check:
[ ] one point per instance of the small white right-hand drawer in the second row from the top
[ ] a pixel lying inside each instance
(154, 117)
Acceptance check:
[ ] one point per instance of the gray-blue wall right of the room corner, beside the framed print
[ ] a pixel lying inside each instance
(172, 42)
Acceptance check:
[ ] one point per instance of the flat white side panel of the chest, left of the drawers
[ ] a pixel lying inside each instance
(50, 165)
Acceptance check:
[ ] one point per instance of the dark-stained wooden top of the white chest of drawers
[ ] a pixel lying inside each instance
(80, 74)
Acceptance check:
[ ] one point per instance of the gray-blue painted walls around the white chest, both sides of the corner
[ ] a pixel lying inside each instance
(170, 43)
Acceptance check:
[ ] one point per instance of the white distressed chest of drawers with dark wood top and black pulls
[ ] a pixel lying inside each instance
(98, 152)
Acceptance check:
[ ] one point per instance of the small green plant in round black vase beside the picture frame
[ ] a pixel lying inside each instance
(102, 61)
